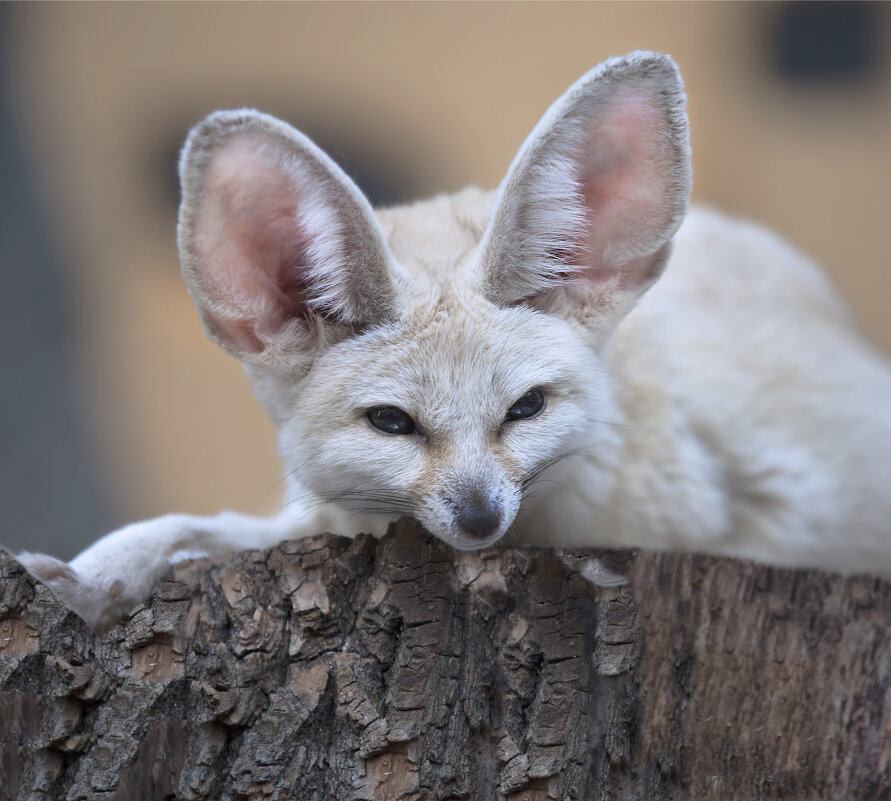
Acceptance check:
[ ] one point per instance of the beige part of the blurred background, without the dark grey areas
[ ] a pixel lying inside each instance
(436, 96)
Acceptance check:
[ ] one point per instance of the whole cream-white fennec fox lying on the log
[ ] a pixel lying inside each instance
(489, 363)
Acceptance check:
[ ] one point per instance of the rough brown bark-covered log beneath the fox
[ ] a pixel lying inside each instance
(343, 669)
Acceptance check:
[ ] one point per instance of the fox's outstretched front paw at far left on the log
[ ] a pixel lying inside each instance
(101, 607)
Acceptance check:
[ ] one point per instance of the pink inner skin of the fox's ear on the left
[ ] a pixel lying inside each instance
(251, 248)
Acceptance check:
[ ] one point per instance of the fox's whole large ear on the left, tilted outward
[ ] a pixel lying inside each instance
(278, 246)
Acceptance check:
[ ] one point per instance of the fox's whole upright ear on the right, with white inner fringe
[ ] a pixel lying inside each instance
(585, 216)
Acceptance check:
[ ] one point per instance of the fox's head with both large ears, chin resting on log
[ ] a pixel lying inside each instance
(434, 360)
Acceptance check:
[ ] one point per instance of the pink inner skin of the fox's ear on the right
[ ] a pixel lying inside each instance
(626, 189)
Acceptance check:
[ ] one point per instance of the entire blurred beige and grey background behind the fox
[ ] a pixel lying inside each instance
(114, 405)
